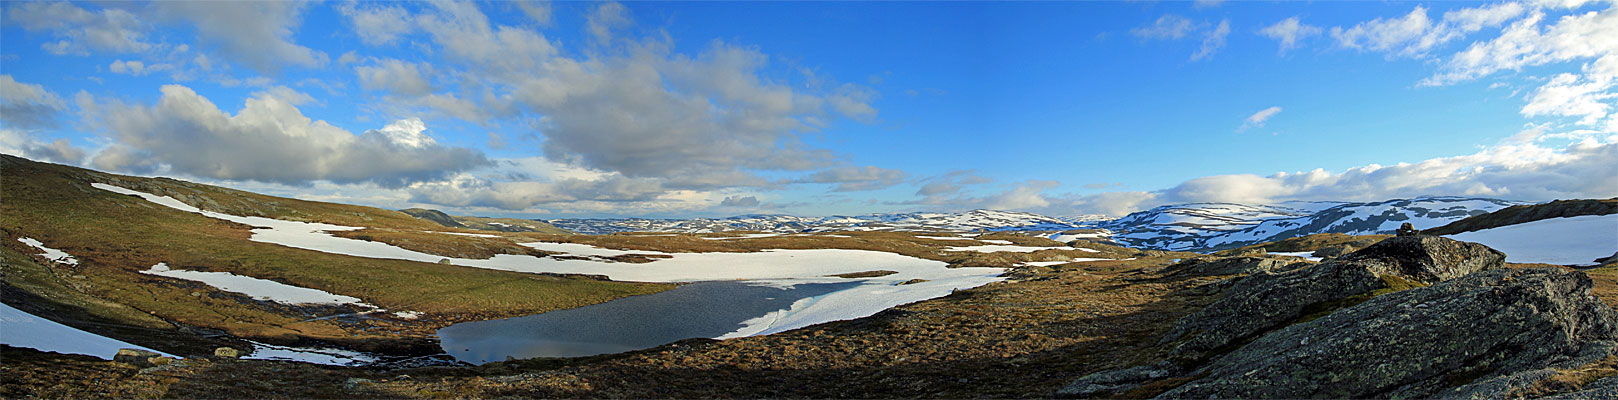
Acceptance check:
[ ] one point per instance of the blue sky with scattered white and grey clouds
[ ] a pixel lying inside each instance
(706, 109)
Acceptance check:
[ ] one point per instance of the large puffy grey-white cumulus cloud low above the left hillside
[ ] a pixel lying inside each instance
(269, 140)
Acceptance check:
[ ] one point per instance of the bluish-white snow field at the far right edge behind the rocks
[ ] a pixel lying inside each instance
(1564, 242)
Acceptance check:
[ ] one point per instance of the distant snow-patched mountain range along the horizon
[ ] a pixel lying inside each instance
(1187, 228)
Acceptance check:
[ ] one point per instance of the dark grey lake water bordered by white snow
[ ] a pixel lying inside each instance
(695, 310)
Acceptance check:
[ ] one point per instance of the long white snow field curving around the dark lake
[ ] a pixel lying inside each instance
(771, 268)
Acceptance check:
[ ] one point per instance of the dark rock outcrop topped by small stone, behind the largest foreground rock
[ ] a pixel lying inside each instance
(1264, 302)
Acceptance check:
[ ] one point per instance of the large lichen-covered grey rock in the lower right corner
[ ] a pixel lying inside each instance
(1476, 331)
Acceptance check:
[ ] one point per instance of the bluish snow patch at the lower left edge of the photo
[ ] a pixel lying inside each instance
(23, 330)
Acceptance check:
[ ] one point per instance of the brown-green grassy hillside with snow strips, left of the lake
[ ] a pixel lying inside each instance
(117, 236)
